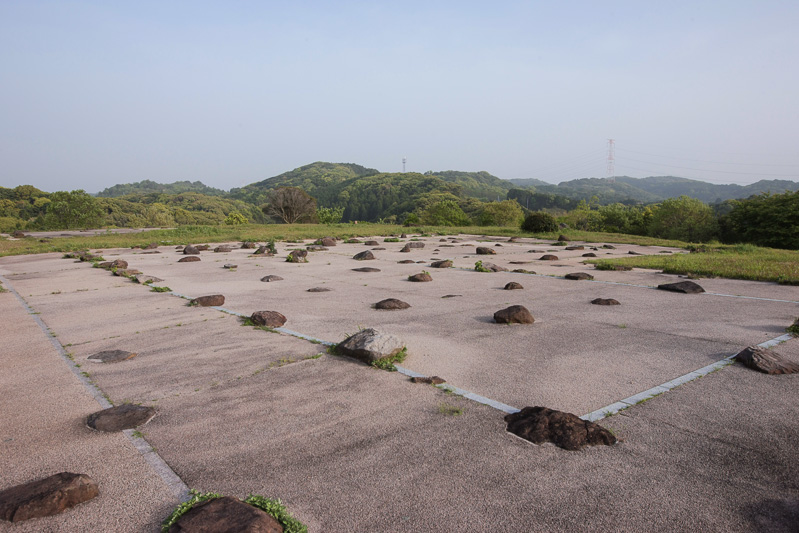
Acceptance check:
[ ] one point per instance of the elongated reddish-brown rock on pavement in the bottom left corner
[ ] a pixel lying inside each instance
(46, 497)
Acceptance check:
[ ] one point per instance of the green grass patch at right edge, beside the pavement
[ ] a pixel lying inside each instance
(742, 261)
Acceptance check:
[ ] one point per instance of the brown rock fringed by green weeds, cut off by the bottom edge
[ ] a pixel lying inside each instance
(225, 515)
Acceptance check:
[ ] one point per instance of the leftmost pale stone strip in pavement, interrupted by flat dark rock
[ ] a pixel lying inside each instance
(156, 462)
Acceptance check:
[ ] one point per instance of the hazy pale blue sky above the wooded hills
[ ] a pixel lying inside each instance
(229, 93)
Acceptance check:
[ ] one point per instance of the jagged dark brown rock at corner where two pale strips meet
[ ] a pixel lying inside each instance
(540, 425)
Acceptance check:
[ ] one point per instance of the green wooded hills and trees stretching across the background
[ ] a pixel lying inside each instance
(765, 213)
